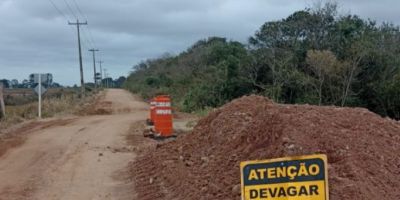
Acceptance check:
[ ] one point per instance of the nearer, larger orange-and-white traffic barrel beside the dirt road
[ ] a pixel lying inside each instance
(163, 116)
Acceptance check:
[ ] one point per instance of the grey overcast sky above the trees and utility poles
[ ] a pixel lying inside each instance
(35, 37)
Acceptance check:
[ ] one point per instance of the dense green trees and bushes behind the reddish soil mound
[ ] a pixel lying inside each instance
(314, 56)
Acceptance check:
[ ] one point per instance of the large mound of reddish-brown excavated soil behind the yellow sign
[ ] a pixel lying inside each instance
(363, 151)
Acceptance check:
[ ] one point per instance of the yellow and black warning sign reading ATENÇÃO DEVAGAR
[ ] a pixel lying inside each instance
(290, 178)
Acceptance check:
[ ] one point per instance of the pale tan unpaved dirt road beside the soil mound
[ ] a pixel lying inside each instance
(75, 158)
